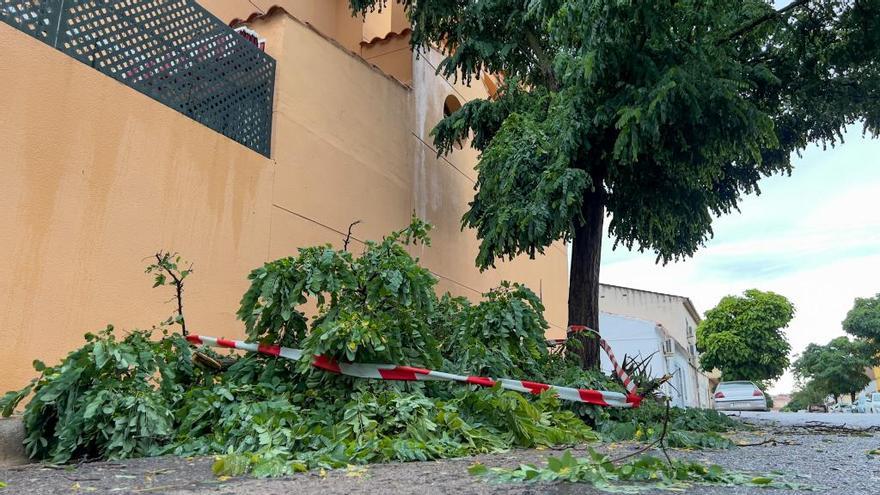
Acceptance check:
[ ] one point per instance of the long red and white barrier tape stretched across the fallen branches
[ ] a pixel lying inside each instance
(409, 373)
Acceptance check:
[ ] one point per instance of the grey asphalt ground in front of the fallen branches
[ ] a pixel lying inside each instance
(829, 462)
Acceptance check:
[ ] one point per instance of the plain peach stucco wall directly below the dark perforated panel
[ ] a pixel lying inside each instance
(96, 177)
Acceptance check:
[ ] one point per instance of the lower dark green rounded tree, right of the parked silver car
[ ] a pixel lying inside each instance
(836, 368)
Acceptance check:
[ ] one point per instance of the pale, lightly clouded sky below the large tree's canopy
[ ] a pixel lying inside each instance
(813, 237)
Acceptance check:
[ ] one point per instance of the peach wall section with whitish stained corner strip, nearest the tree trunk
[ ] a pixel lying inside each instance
(444, 186)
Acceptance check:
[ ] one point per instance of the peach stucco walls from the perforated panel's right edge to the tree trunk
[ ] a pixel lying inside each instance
(354, 144)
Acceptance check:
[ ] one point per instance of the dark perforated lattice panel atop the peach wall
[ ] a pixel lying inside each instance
(171, 50)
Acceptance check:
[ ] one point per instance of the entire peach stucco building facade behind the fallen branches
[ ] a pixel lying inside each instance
(98, 176)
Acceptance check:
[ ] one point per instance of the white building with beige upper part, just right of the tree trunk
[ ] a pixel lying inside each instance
(636, 321)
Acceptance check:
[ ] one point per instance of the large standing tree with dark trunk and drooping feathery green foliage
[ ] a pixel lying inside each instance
(659, 115)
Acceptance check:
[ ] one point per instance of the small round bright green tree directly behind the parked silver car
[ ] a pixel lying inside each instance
(742, 336)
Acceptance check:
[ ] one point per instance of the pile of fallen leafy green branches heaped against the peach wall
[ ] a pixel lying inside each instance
(139, 397)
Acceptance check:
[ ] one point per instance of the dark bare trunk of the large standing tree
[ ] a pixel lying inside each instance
(583, 289)
